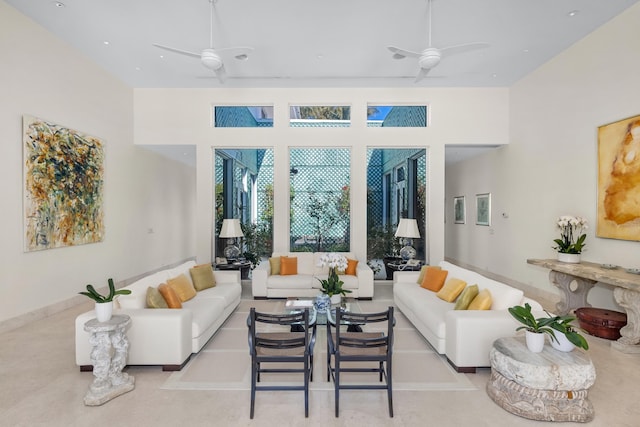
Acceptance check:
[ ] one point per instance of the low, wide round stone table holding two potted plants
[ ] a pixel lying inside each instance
(547, 386)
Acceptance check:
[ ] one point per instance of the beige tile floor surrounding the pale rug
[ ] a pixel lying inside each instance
(41, 386)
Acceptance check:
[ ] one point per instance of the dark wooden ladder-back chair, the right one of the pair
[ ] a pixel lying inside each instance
(350, 352)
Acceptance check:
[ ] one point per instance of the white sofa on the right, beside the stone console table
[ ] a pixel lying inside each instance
(464, 336)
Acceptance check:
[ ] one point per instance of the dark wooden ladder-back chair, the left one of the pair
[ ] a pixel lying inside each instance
(282, 348)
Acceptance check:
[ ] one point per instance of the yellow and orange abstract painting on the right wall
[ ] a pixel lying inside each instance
(619, 180)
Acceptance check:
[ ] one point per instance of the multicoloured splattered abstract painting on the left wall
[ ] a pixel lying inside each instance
(63, 182)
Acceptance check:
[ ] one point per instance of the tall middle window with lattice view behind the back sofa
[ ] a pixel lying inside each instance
(320, 199)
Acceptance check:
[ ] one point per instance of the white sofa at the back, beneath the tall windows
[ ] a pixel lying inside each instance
(306, 283)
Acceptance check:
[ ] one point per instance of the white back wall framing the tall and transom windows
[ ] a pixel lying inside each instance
(457, 116)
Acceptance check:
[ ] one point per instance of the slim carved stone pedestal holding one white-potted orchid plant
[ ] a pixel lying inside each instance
(108, 357)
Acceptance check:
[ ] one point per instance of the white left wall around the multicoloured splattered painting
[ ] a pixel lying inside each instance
(42, 76)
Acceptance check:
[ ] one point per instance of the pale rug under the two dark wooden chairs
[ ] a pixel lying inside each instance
(224, 362)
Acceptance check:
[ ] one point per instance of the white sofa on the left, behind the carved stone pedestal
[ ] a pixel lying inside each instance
(163, 336)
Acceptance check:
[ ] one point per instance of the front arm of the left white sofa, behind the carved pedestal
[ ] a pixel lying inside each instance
(156, 336)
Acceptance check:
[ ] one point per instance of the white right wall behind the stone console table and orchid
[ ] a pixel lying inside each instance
(550, 167)
